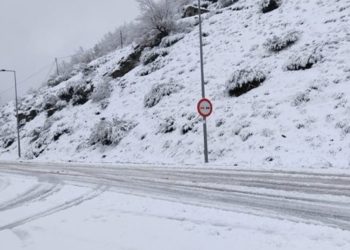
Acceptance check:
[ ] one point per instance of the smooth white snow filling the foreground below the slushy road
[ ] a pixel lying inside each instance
(79, 216)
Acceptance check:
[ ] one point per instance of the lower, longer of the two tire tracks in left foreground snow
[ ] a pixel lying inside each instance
(66, 205)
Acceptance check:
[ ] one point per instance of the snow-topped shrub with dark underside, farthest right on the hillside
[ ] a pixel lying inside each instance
(303, 62)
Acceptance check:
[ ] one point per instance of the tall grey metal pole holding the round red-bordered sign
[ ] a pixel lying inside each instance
(205, 132)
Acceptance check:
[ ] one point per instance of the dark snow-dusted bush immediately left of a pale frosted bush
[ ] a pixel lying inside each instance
(78, 92)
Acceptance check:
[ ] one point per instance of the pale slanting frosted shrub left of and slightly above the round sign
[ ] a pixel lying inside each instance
(158, 91)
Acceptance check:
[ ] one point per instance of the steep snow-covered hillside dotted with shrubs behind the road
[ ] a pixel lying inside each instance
(279, 82)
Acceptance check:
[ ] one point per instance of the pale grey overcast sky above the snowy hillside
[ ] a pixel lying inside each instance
(34, 32)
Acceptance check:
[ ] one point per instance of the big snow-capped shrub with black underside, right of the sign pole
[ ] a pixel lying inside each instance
(243, 81)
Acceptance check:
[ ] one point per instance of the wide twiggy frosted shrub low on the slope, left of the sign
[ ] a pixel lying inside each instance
(110, 132)
